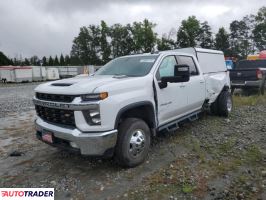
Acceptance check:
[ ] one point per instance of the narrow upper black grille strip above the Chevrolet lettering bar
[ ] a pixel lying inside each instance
(55, 97)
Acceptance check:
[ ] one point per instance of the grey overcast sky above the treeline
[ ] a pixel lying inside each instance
(48, 27)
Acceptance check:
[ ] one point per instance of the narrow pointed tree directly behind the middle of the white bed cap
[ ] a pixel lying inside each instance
(205, 36)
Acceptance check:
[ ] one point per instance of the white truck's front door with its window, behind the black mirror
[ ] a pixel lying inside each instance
(172, 100)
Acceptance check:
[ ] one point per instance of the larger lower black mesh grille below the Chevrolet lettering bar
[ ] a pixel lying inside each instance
(57, 116)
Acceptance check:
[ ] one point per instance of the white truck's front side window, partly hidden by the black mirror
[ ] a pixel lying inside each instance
(167, 67)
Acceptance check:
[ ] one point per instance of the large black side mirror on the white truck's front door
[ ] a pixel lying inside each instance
(182, 74)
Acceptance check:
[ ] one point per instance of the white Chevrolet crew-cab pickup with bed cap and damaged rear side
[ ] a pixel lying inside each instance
(116, 111)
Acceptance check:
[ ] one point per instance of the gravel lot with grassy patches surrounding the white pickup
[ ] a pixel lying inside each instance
(211, 158)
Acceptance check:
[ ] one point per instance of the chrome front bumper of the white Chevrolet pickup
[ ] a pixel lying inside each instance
(93, 144)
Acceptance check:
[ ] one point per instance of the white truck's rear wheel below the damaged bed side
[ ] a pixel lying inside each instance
(224, 101)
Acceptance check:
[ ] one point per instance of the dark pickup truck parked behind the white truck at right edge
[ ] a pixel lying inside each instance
(249, 74)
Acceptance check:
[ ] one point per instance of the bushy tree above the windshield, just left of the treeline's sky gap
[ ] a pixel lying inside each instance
(144, 37)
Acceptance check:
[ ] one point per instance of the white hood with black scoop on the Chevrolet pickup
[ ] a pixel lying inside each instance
(79, 85)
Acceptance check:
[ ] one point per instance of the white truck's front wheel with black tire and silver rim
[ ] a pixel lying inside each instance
(125, 149)
